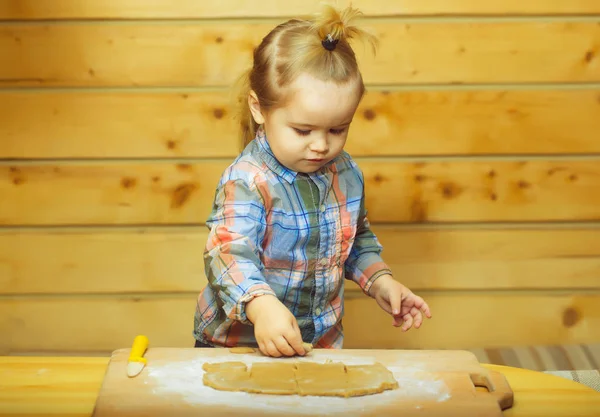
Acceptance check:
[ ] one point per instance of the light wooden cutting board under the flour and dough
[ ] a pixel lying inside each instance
(432, 383)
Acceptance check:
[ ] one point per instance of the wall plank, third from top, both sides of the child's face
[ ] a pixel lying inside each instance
(201, 124)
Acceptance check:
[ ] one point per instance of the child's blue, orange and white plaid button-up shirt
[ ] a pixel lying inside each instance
(292, 235)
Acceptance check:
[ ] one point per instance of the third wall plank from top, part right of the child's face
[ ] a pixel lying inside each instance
(477, 123)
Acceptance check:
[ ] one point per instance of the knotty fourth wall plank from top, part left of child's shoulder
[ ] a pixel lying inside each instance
(108, 193)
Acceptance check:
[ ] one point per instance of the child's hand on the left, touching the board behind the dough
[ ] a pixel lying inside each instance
(275, 327)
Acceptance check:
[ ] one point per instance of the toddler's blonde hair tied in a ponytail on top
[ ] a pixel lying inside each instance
(295, 47)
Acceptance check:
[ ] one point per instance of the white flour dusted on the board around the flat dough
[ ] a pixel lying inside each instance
(184, 378)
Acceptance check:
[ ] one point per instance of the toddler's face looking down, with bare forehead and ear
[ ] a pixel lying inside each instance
(311, 128)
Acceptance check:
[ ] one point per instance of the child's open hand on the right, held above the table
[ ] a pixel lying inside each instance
(400, 302)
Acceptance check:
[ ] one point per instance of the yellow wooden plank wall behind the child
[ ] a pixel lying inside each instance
(479, 138)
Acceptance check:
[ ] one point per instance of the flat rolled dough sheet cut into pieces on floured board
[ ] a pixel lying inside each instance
(300, 378)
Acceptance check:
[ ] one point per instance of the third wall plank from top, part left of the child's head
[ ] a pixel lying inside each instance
(116, 125)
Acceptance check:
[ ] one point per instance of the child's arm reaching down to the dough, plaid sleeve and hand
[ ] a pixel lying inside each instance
(234, 269)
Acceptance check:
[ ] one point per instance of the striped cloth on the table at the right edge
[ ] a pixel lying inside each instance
(577, 362)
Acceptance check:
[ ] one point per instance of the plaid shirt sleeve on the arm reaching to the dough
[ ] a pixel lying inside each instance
(232, 255)
